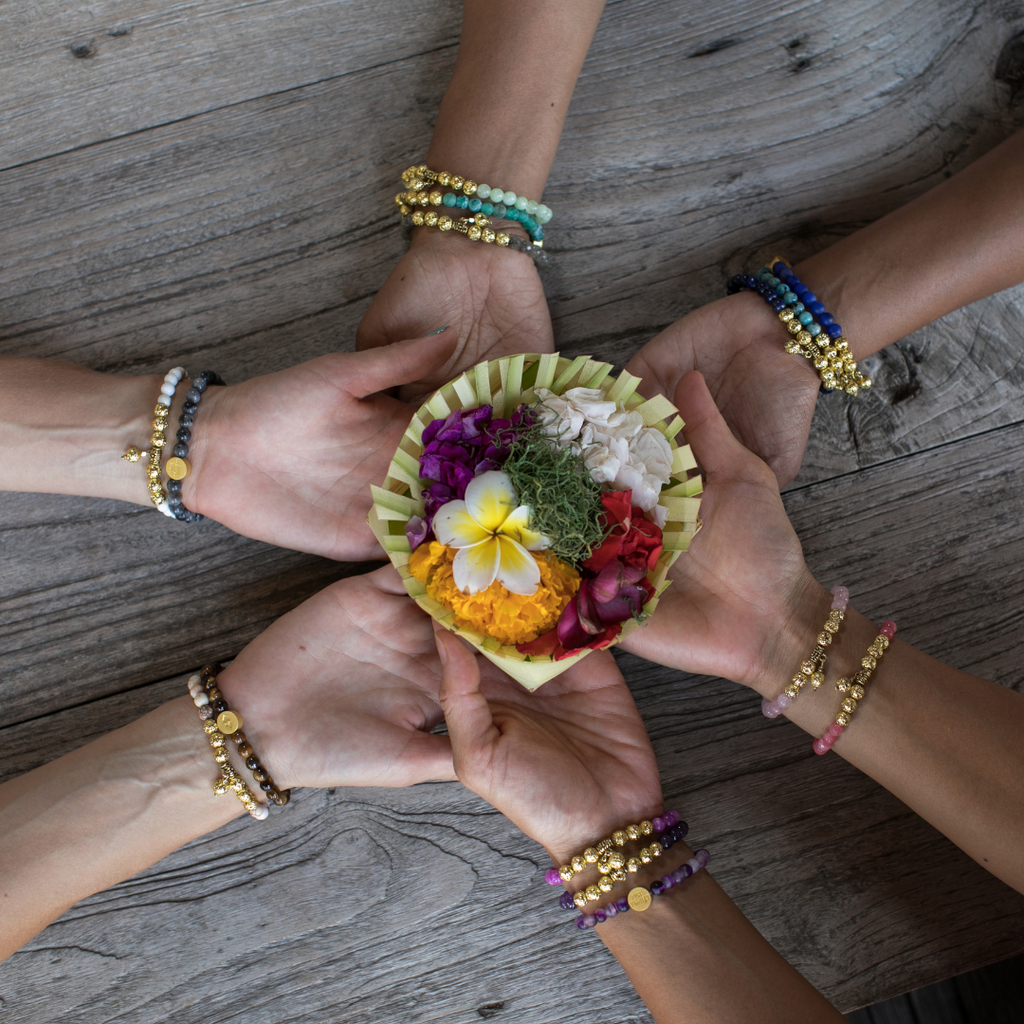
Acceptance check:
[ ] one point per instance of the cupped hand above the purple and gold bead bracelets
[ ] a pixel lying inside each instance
(568, 764)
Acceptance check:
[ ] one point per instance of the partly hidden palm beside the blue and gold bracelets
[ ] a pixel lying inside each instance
(766, 395)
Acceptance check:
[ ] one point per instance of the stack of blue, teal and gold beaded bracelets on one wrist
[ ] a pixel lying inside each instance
(820, 340)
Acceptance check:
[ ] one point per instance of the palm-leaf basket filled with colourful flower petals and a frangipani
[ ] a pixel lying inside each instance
(535, 507)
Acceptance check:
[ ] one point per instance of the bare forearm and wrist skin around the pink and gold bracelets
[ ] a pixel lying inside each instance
(946, 743)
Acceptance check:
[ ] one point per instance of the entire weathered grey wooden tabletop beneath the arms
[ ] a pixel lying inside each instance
(212, 187)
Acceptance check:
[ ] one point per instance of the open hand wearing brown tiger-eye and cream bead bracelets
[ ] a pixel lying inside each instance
(344, 690)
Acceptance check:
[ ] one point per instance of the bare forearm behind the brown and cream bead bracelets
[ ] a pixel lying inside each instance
(103, 814)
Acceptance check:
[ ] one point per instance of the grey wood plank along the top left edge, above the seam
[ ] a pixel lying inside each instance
(74, 76)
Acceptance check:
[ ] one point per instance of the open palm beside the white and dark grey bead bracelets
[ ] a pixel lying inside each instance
(289, 458)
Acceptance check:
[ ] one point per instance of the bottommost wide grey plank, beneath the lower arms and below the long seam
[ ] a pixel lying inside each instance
(872, 902)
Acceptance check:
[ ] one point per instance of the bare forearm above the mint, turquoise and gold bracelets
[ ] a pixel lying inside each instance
(503, 113)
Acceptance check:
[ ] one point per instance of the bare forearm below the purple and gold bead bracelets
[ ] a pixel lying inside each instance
(694, 958)
